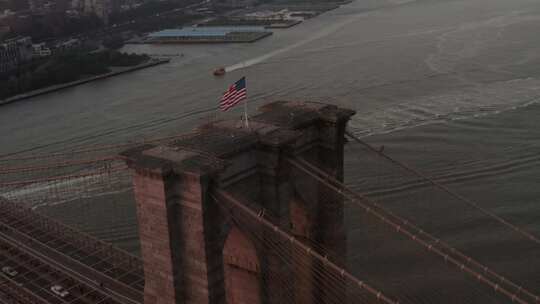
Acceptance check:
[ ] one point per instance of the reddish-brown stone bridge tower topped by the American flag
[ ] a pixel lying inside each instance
(193, 252)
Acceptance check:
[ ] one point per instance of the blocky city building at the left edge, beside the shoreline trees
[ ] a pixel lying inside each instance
(14, 52)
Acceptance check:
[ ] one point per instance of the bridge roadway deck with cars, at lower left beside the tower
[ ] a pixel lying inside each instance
(41, 253)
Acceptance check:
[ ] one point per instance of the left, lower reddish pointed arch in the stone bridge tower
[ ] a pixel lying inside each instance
(241, 269)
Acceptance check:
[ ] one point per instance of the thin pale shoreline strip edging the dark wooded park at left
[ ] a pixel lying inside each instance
(150, 63)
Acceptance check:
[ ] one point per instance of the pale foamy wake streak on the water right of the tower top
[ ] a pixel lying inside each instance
(458, 105)
